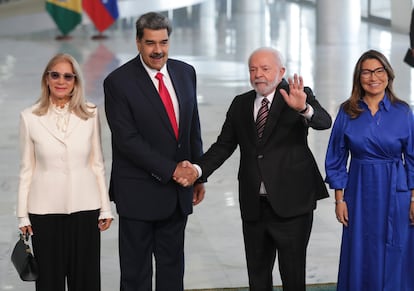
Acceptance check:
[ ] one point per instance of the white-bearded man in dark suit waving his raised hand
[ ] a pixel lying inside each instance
(279, 181)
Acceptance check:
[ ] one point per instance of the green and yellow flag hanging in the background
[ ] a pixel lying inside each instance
(67, 14)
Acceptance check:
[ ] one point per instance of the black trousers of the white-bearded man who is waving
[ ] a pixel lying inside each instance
(288, 237)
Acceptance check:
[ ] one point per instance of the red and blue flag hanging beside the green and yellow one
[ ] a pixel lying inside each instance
(101, 12)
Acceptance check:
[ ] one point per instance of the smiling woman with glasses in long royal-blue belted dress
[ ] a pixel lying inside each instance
(374, 194)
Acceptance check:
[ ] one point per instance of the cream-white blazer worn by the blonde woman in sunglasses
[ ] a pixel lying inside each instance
(61, 173)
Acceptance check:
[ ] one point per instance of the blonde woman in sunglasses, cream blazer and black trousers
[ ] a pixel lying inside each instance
(63, 200)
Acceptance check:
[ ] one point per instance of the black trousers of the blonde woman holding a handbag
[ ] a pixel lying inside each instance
(67, 248)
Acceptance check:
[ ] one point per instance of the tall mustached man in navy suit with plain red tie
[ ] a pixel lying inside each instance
(152, 112)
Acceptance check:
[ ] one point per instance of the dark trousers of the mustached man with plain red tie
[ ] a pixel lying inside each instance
(142, 241)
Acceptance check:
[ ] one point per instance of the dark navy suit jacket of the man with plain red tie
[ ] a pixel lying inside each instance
(144, 149)
